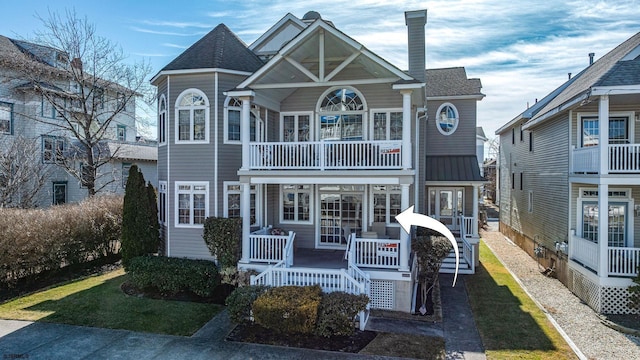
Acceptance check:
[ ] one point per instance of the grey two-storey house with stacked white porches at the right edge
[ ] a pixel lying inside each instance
(574, 152)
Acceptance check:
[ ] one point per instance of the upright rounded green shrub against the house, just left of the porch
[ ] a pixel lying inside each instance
(223, 238)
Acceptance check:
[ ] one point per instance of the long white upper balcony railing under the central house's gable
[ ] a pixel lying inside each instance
(321, 155)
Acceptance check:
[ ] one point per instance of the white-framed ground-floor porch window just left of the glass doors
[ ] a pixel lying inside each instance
(296, 204)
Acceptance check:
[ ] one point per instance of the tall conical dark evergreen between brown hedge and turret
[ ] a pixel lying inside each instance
(139, 218)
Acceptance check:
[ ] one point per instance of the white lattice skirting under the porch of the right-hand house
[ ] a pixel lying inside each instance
(604, 300)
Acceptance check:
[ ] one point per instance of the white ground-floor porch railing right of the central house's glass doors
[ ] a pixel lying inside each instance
(376, 253)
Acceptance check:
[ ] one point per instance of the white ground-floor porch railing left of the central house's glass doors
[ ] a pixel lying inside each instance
(270, 249)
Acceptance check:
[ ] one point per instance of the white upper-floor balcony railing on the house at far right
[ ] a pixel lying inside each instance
(622, 159)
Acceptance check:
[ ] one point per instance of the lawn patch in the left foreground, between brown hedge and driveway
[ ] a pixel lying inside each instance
(98, 301)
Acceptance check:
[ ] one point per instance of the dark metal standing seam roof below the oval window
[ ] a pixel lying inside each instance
(453, 168)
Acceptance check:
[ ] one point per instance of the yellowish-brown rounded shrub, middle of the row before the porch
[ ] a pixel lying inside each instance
(288, 309)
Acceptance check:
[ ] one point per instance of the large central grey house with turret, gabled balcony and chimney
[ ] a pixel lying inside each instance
(318, 144)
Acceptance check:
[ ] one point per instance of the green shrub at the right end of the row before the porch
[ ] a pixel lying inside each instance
(337, 312)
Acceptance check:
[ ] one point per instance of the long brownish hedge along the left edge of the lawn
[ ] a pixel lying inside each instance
(33, 241)
